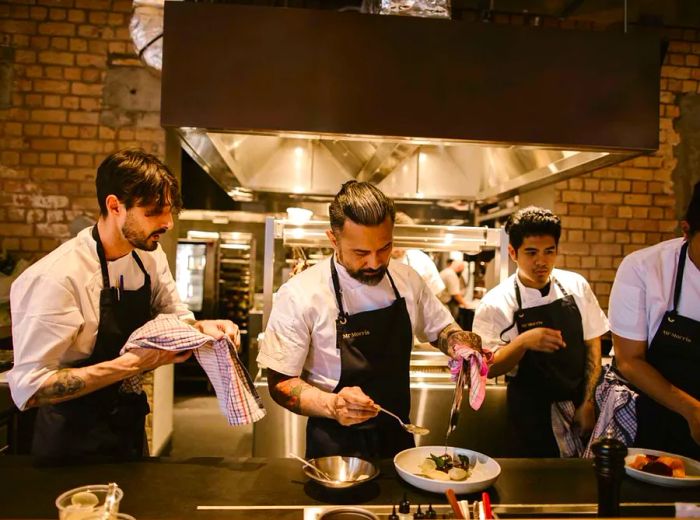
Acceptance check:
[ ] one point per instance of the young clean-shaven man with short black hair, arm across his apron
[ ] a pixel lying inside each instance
(545, 326)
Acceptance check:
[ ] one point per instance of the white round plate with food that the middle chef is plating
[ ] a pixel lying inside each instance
(485, 472)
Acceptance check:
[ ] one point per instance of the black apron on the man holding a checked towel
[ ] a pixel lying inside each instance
(105, 424)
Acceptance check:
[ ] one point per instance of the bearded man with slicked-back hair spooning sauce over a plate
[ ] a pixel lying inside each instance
(339, 338)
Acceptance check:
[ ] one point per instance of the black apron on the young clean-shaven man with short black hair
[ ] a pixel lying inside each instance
(544, 378)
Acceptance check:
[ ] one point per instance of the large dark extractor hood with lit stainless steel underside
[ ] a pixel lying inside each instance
(299, 101)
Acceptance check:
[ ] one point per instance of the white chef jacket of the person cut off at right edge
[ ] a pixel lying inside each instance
(643, 290)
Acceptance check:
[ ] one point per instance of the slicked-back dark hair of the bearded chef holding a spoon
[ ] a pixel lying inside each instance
(362, 203)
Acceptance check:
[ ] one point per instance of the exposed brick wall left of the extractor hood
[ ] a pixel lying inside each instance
(55, 133)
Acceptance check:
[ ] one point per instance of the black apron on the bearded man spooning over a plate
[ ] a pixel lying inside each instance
(375, 351)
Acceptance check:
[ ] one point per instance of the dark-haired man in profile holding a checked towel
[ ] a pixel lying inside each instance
(73, 310)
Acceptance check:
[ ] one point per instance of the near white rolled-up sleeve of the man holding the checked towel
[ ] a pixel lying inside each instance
(46, 319)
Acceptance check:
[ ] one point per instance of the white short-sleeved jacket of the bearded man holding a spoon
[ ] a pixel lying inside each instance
(300, 336)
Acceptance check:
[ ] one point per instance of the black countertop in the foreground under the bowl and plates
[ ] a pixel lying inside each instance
(167, 488)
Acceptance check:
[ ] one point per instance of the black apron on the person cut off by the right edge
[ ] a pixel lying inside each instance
(675, 353)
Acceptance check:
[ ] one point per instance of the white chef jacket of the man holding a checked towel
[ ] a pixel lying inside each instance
(56, 307)
